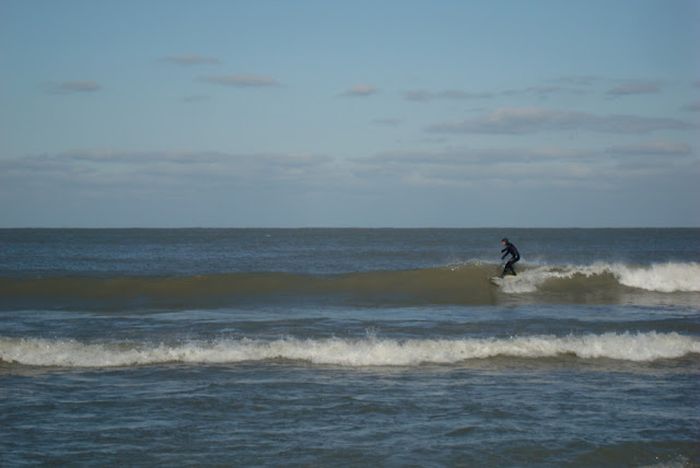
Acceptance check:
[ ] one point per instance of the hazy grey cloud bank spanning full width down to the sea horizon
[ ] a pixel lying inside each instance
(204, 187)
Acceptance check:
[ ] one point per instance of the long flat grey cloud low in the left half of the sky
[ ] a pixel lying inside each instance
(187, 169)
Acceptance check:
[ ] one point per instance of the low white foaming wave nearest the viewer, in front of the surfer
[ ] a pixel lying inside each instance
(370, 351)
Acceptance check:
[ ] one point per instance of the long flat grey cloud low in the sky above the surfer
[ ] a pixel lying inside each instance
(527, 167)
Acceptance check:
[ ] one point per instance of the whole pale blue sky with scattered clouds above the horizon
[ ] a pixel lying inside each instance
(170, 113)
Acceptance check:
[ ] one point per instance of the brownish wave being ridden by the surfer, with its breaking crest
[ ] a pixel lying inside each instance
(469, 283)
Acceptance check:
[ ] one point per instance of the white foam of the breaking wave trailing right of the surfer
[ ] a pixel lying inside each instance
(659, 277)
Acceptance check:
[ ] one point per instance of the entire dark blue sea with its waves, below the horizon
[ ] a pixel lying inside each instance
(349, 347)
